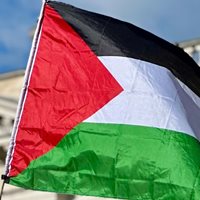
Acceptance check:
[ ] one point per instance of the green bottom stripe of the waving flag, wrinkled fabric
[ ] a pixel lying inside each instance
(122, 161)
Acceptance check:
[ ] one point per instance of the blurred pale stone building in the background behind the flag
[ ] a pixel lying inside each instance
(10, 87)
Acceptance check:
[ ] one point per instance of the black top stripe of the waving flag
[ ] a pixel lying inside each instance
(107, 36)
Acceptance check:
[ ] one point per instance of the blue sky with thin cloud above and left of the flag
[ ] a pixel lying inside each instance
(173, 20)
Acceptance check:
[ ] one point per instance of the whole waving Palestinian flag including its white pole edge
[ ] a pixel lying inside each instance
(108, 110)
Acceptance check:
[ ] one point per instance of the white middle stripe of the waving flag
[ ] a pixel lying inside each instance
(152, 97)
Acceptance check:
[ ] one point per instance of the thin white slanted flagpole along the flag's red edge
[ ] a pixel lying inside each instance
(23, 95)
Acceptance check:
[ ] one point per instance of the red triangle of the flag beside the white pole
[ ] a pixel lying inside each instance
(67, 85)
